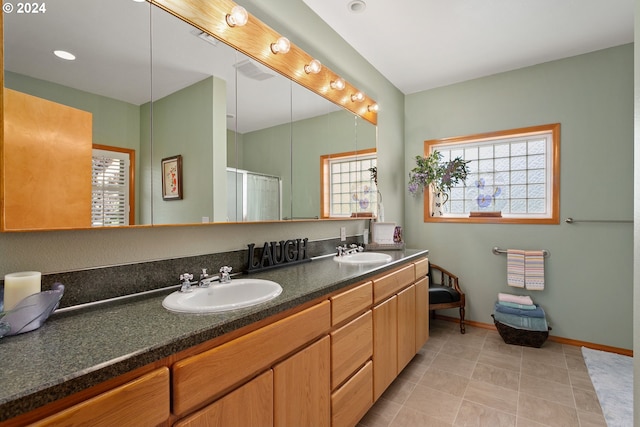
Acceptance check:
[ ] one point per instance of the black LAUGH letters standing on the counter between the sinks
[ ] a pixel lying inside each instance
(277, 254)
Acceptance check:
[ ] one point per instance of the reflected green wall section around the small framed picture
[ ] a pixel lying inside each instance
(191, 123)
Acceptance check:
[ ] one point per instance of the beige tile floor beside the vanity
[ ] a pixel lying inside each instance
(476, 379)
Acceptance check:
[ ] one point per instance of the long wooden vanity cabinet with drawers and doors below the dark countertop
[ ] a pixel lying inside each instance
(323, 366)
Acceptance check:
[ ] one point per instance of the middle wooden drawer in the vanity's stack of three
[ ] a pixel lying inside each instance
(351, 347)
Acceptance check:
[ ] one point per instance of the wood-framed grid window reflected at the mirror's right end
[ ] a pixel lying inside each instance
(347, 186)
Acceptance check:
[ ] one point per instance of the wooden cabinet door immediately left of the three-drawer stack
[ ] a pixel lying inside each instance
(301, 387)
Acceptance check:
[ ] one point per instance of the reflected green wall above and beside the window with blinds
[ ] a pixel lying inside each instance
(115, 123)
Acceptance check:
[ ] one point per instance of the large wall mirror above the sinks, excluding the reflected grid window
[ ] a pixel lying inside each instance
(160, 100)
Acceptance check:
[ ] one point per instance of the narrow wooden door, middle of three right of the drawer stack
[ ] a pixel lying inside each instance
(406, 326)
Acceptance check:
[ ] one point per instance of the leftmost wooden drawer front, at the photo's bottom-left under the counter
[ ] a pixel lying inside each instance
(141, 402)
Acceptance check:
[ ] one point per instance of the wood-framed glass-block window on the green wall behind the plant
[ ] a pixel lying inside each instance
(514, 172)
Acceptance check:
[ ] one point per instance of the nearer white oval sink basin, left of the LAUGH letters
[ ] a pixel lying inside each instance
(223, 296)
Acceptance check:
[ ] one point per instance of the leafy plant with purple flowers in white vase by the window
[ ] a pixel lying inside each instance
(431, 171)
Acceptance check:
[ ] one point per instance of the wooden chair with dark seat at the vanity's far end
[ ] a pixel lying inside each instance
(445, 292)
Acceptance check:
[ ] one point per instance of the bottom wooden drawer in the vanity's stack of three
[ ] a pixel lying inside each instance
(352, 401)
